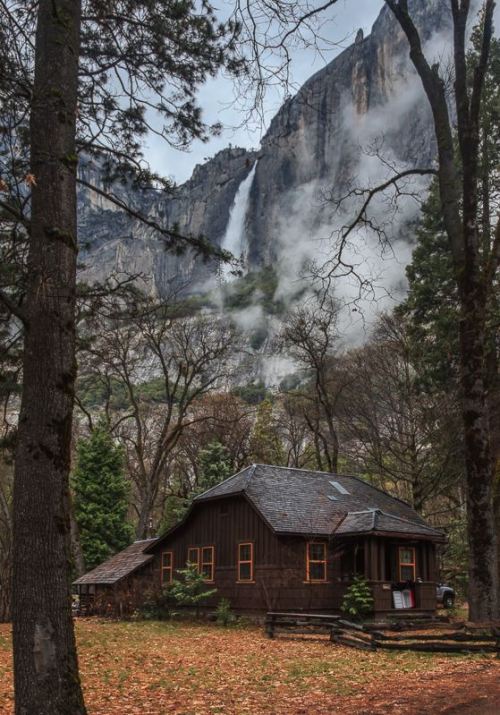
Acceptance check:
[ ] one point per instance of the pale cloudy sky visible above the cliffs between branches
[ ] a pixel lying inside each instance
(214, 97)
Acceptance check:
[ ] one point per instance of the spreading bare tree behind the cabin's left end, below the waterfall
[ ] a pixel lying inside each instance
(181, 359)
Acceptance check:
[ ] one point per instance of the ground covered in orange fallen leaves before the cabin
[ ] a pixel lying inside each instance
(152, 668)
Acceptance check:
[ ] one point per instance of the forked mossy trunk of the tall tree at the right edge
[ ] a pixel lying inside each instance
(474, 281)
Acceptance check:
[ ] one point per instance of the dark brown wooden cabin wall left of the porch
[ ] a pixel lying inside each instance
(279, 562)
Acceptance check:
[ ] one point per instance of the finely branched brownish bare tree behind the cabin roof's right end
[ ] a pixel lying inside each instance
(394, 431)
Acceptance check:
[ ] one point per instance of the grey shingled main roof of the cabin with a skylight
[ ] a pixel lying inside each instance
(301, 501)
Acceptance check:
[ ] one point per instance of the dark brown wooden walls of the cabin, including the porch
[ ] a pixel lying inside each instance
(280, 562)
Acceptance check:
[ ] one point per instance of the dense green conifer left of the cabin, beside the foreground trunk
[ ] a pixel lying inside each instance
(101, 497)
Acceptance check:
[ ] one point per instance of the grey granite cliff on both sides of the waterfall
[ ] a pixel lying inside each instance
(367, 100)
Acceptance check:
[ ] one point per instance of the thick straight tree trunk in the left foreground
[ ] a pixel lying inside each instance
(45, 662)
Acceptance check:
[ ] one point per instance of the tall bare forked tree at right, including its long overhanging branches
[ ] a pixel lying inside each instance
(475, 260)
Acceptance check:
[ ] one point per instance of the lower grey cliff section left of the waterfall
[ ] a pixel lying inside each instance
(112, 242)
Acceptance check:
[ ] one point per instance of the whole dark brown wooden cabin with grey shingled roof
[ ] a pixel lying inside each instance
(277, 538)
